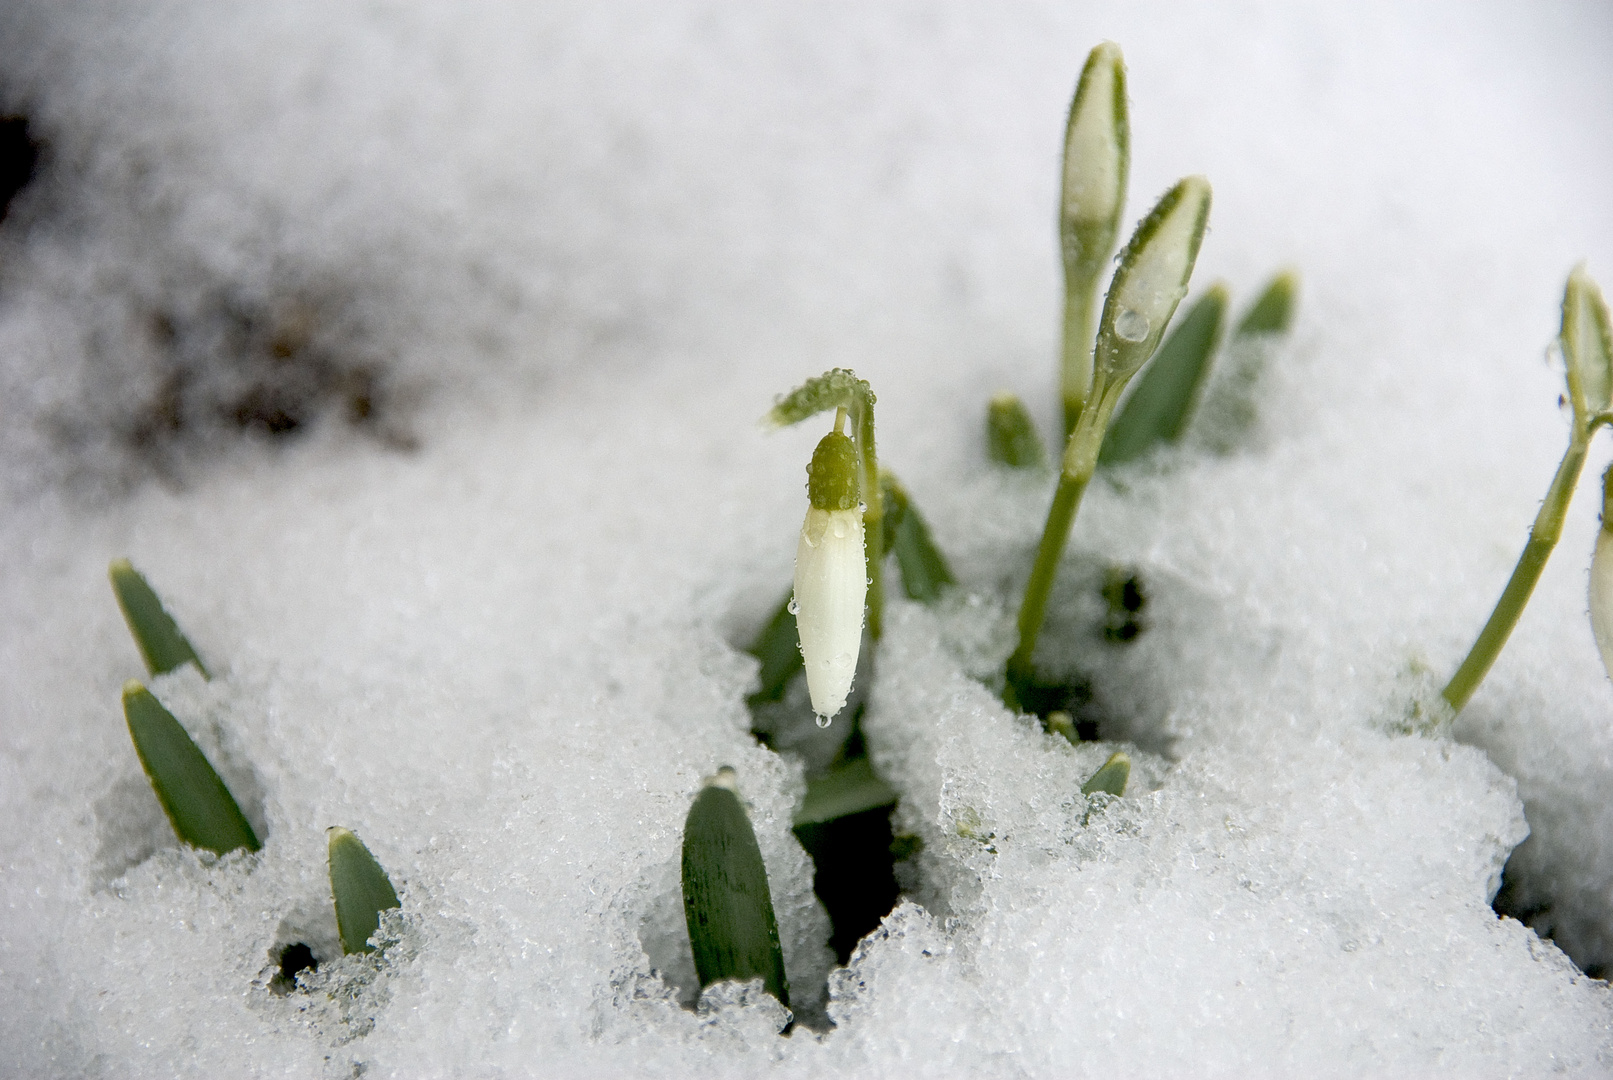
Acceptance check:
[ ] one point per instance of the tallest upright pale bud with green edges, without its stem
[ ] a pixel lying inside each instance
(1098, 156)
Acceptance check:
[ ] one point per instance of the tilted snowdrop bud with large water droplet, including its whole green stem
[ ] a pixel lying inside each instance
(1151, 281)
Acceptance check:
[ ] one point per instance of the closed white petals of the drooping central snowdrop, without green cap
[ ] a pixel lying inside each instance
(832, 583)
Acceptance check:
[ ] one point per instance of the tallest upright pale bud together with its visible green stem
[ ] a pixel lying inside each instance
(1098, 160)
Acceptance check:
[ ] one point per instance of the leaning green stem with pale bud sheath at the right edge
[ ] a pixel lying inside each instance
(1586, 344)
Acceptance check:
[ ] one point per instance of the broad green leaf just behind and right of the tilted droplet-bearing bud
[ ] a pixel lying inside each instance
(1167, 391)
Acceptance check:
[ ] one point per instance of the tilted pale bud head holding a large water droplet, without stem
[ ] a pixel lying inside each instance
(1152, 280)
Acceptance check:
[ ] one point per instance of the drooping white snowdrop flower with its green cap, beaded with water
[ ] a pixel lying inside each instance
(832, 576)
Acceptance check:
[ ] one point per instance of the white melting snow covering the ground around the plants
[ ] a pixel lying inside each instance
(517, 286)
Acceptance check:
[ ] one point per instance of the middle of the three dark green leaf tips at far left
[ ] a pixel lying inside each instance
(201, 808)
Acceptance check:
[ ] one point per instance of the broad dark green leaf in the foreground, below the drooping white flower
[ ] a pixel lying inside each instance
(733, 931)
